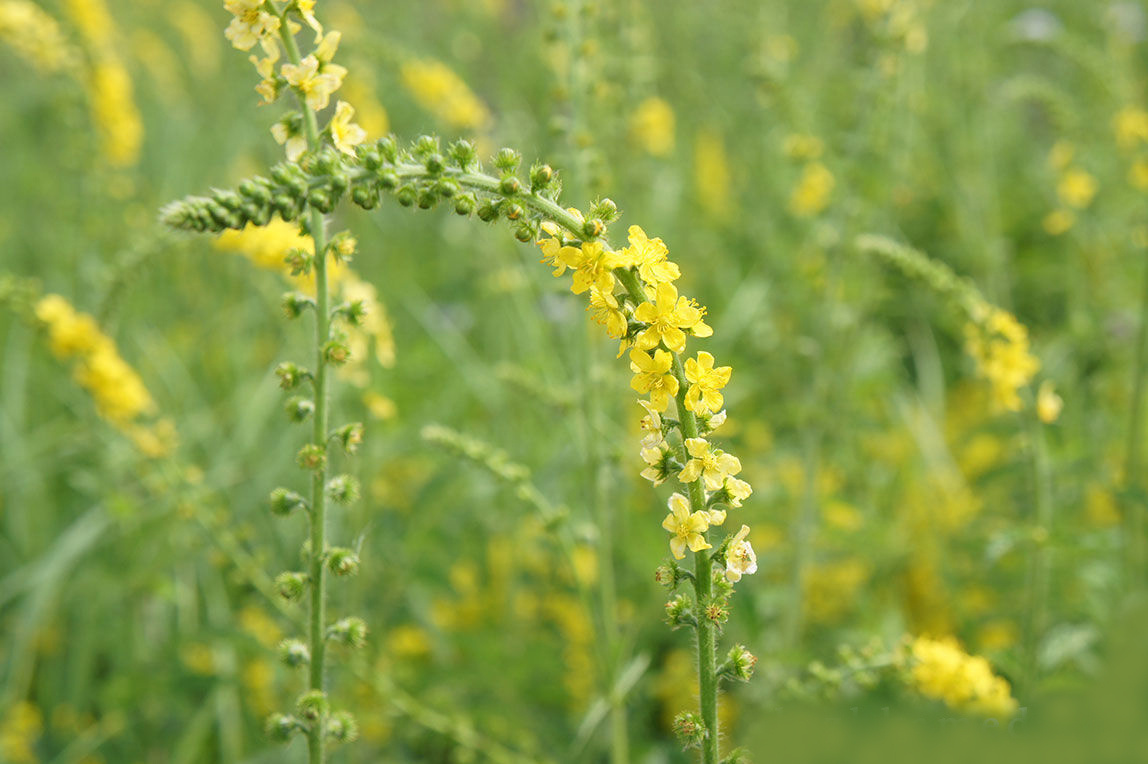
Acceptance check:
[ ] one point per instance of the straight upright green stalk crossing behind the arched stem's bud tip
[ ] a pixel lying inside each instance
(319, 516)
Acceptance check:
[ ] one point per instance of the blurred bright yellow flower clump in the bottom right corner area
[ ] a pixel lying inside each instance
(944, 672)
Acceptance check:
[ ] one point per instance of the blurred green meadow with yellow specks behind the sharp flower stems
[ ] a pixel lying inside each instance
(758, 139)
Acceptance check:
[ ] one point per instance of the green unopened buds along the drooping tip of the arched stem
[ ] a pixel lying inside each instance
(423, 175)
